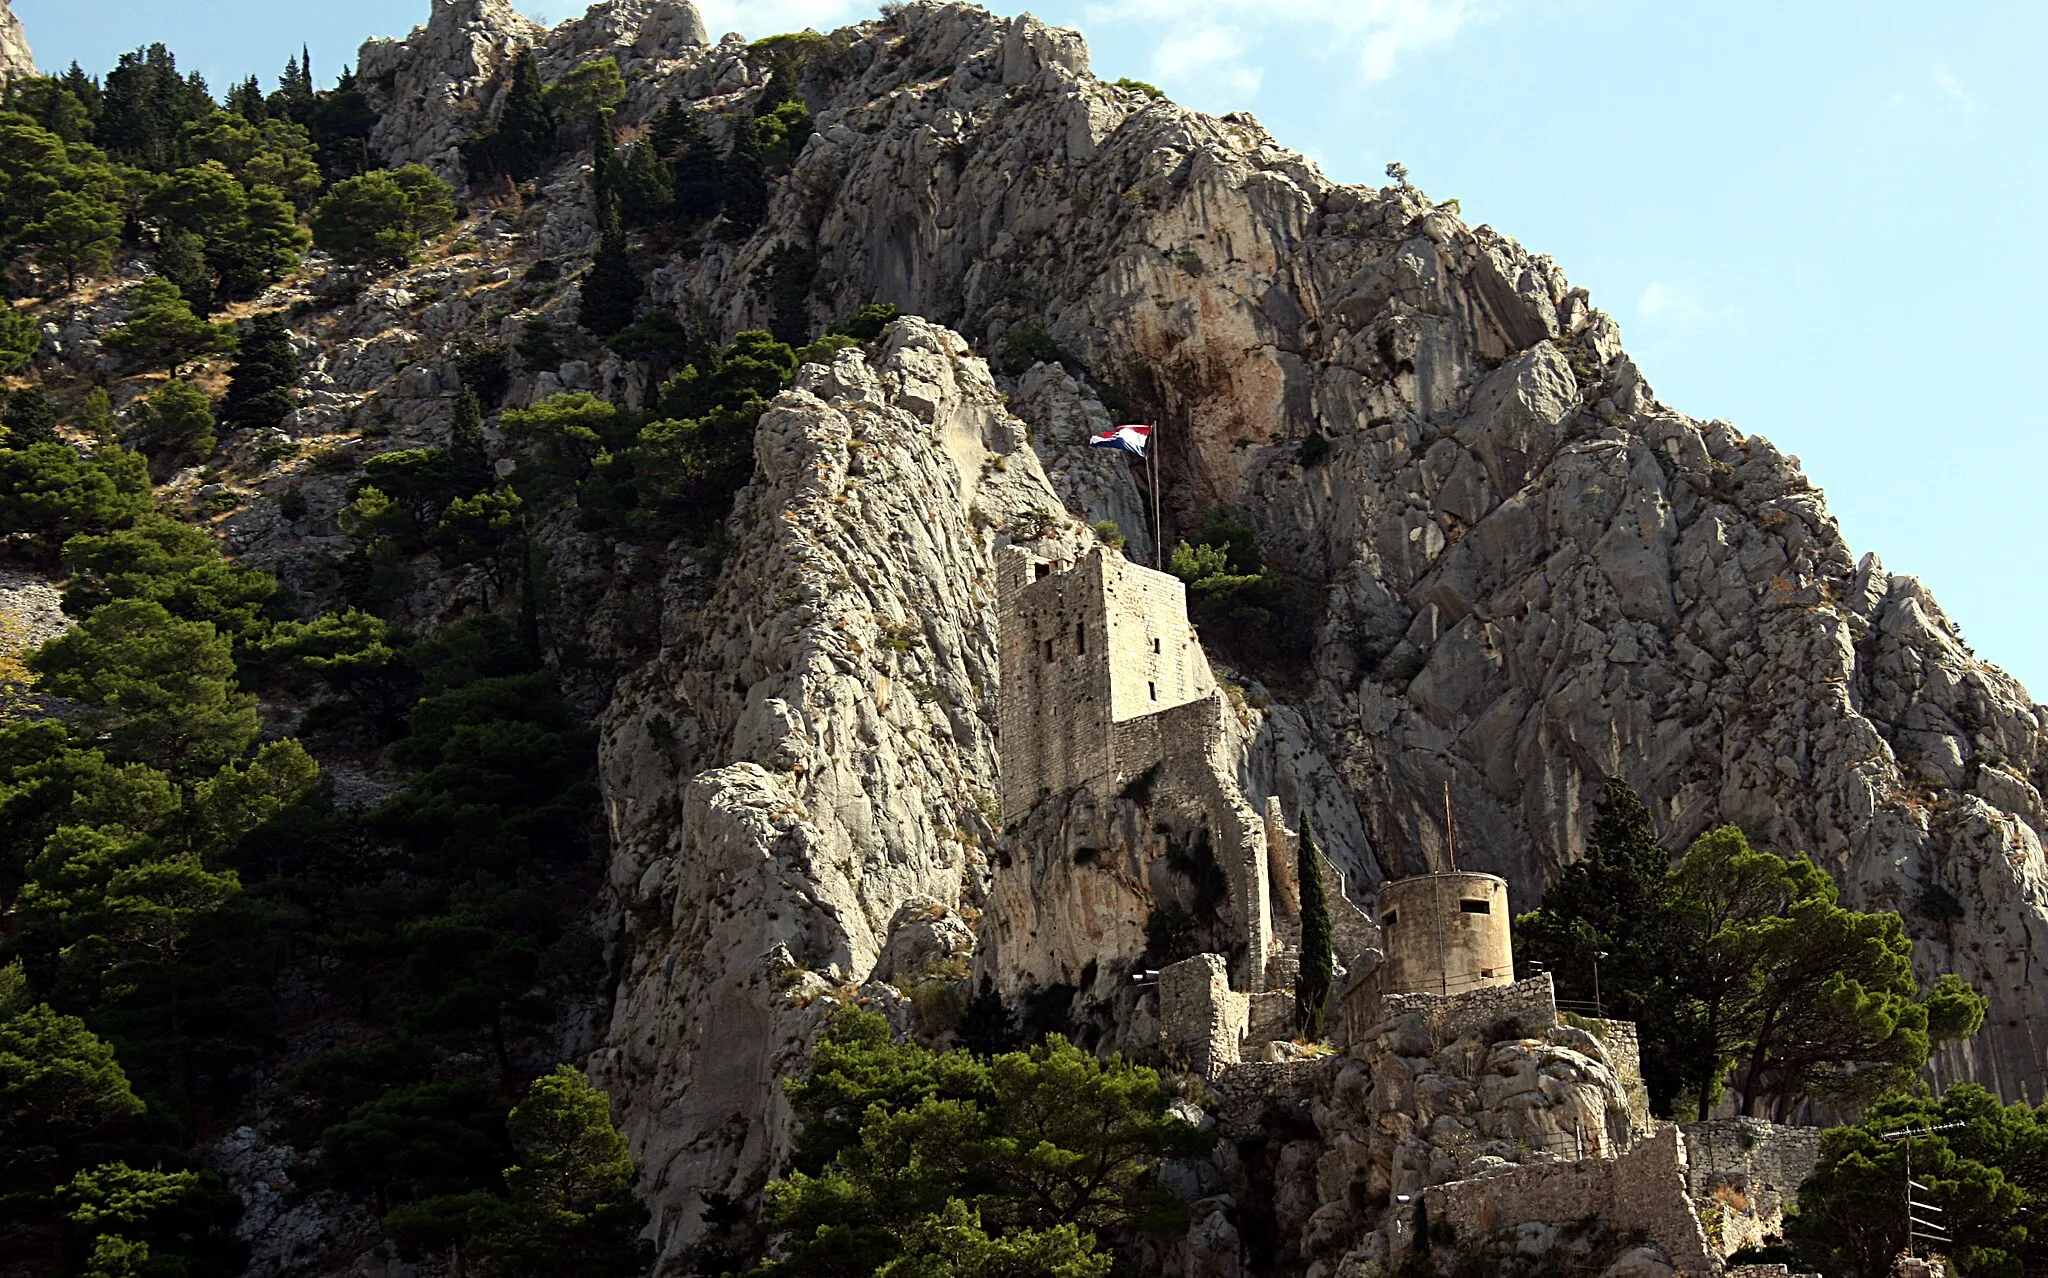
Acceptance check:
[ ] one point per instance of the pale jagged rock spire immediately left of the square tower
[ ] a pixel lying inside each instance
(812, 753)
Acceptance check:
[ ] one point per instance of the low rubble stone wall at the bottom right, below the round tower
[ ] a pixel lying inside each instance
(1639, 1191)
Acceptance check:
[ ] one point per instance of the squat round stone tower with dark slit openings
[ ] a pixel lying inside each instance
(1445, 935)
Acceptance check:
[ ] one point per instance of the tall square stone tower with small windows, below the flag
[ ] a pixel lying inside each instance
(1103, 675)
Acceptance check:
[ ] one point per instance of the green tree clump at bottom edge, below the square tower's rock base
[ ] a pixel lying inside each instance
(921, 1162)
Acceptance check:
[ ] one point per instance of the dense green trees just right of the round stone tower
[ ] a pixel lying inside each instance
(1740, 966)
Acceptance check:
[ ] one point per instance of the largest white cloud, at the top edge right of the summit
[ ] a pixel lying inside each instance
(1215, 42)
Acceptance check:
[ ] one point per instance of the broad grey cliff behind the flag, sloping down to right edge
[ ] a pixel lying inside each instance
(1533, 572)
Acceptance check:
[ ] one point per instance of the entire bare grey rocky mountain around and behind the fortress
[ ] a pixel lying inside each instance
(1525, 572)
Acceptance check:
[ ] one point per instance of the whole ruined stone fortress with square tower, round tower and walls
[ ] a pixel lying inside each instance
(1451, 1080)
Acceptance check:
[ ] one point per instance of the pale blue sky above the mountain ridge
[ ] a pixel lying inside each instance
(1811, 218)
